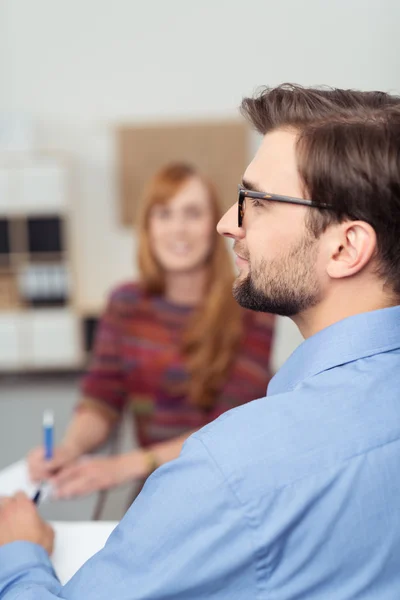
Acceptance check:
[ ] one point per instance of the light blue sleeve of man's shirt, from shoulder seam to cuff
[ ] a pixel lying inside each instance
(185, 536)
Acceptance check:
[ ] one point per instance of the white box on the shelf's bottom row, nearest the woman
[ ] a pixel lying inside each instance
(55, 338)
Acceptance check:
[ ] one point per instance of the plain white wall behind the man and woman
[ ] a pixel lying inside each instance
(81, 66)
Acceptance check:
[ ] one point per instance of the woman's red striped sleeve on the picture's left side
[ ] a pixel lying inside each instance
(104, 385)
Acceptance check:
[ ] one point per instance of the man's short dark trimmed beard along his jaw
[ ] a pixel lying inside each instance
(285, 286)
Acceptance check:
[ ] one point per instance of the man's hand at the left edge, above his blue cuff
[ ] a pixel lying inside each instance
(19, 521)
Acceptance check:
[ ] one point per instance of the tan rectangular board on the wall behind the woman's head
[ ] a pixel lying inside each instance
(218, 149)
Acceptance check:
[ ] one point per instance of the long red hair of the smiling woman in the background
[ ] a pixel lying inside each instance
(212, 336)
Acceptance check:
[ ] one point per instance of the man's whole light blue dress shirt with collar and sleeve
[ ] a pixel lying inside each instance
(295, 496)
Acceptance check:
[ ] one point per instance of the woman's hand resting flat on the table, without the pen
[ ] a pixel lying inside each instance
(90, 475)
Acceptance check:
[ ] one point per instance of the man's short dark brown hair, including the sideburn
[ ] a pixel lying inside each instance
(348, 154)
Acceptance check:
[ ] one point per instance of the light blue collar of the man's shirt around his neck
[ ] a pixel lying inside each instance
(356, 337)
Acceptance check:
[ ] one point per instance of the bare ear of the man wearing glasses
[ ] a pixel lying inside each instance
(352, 246)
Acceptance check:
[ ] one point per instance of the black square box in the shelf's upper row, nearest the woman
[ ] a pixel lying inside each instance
(45, 235)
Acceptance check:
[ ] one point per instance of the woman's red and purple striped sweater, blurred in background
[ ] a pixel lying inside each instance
(137, 363)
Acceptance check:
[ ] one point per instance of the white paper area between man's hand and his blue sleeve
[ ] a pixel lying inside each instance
(76, 542)
